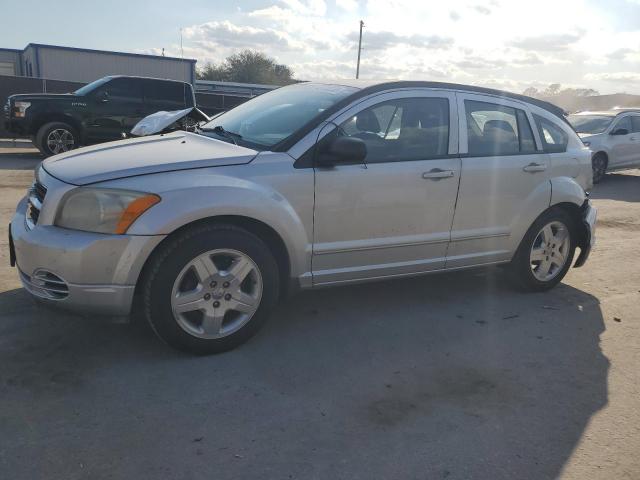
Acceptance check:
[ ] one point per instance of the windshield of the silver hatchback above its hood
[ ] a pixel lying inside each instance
(270, 118)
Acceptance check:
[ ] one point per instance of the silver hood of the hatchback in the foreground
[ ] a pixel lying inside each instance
(142, 156)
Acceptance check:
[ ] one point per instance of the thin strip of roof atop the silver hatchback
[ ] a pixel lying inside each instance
(371, 86)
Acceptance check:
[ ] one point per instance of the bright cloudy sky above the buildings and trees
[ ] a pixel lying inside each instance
(508, 44)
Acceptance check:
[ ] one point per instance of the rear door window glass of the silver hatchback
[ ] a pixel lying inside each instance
(497, 130)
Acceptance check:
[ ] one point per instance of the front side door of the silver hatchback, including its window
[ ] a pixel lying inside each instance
(390, 215)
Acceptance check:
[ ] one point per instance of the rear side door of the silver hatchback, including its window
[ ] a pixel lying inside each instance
(504, 180)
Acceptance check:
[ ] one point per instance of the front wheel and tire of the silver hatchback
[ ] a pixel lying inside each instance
(210, 288)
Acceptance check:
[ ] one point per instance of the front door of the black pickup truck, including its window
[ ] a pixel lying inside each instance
(116, 107)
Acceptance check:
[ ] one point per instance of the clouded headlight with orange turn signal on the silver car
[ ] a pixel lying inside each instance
(102, 210)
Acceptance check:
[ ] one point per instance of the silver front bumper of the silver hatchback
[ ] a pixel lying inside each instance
(81, 271)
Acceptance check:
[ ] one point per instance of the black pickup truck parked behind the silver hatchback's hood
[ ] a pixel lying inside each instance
(101, 111)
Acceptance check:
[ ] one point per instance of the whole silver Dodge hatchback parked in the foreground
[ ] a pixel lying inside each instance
(309, 185)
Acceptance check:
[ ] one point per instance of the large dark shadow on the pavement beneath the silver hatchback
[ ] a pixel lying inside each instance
(451, 376)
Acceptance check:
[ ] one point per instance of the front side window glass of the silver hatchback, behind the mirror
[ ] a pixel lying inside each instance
(402, 130)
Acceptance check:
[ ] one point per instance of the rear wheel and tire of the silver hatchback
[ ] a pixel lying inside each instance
(535, 266)
